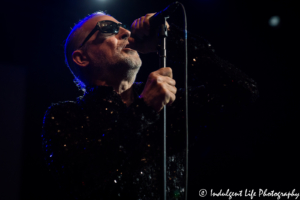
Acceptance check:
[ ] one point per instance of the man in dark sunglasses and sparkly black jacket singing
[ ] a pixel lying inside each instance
(108, 143)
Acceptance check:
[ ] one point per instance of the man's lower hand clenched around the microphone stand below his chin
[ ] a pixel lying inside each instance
(160, 89)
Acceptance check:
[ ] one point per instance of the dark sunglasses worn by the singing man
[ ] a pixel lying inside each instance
(104, 27)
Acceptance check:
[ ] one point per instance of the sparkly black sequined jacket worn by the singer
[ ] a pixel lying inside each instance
(98, 148)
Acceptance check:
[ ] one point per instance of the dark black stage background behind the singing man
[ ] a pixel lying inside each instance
(33, 75)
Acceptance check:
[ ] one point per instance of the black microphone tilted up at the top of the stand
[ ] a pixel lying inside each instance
(157, 19)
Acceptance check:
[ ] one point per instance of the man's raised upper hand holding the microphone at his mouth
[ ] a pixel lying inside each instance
(142, 39)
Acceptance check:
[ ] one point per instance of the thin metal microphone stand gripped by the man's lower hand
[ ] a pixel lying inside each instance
(162, 53)
